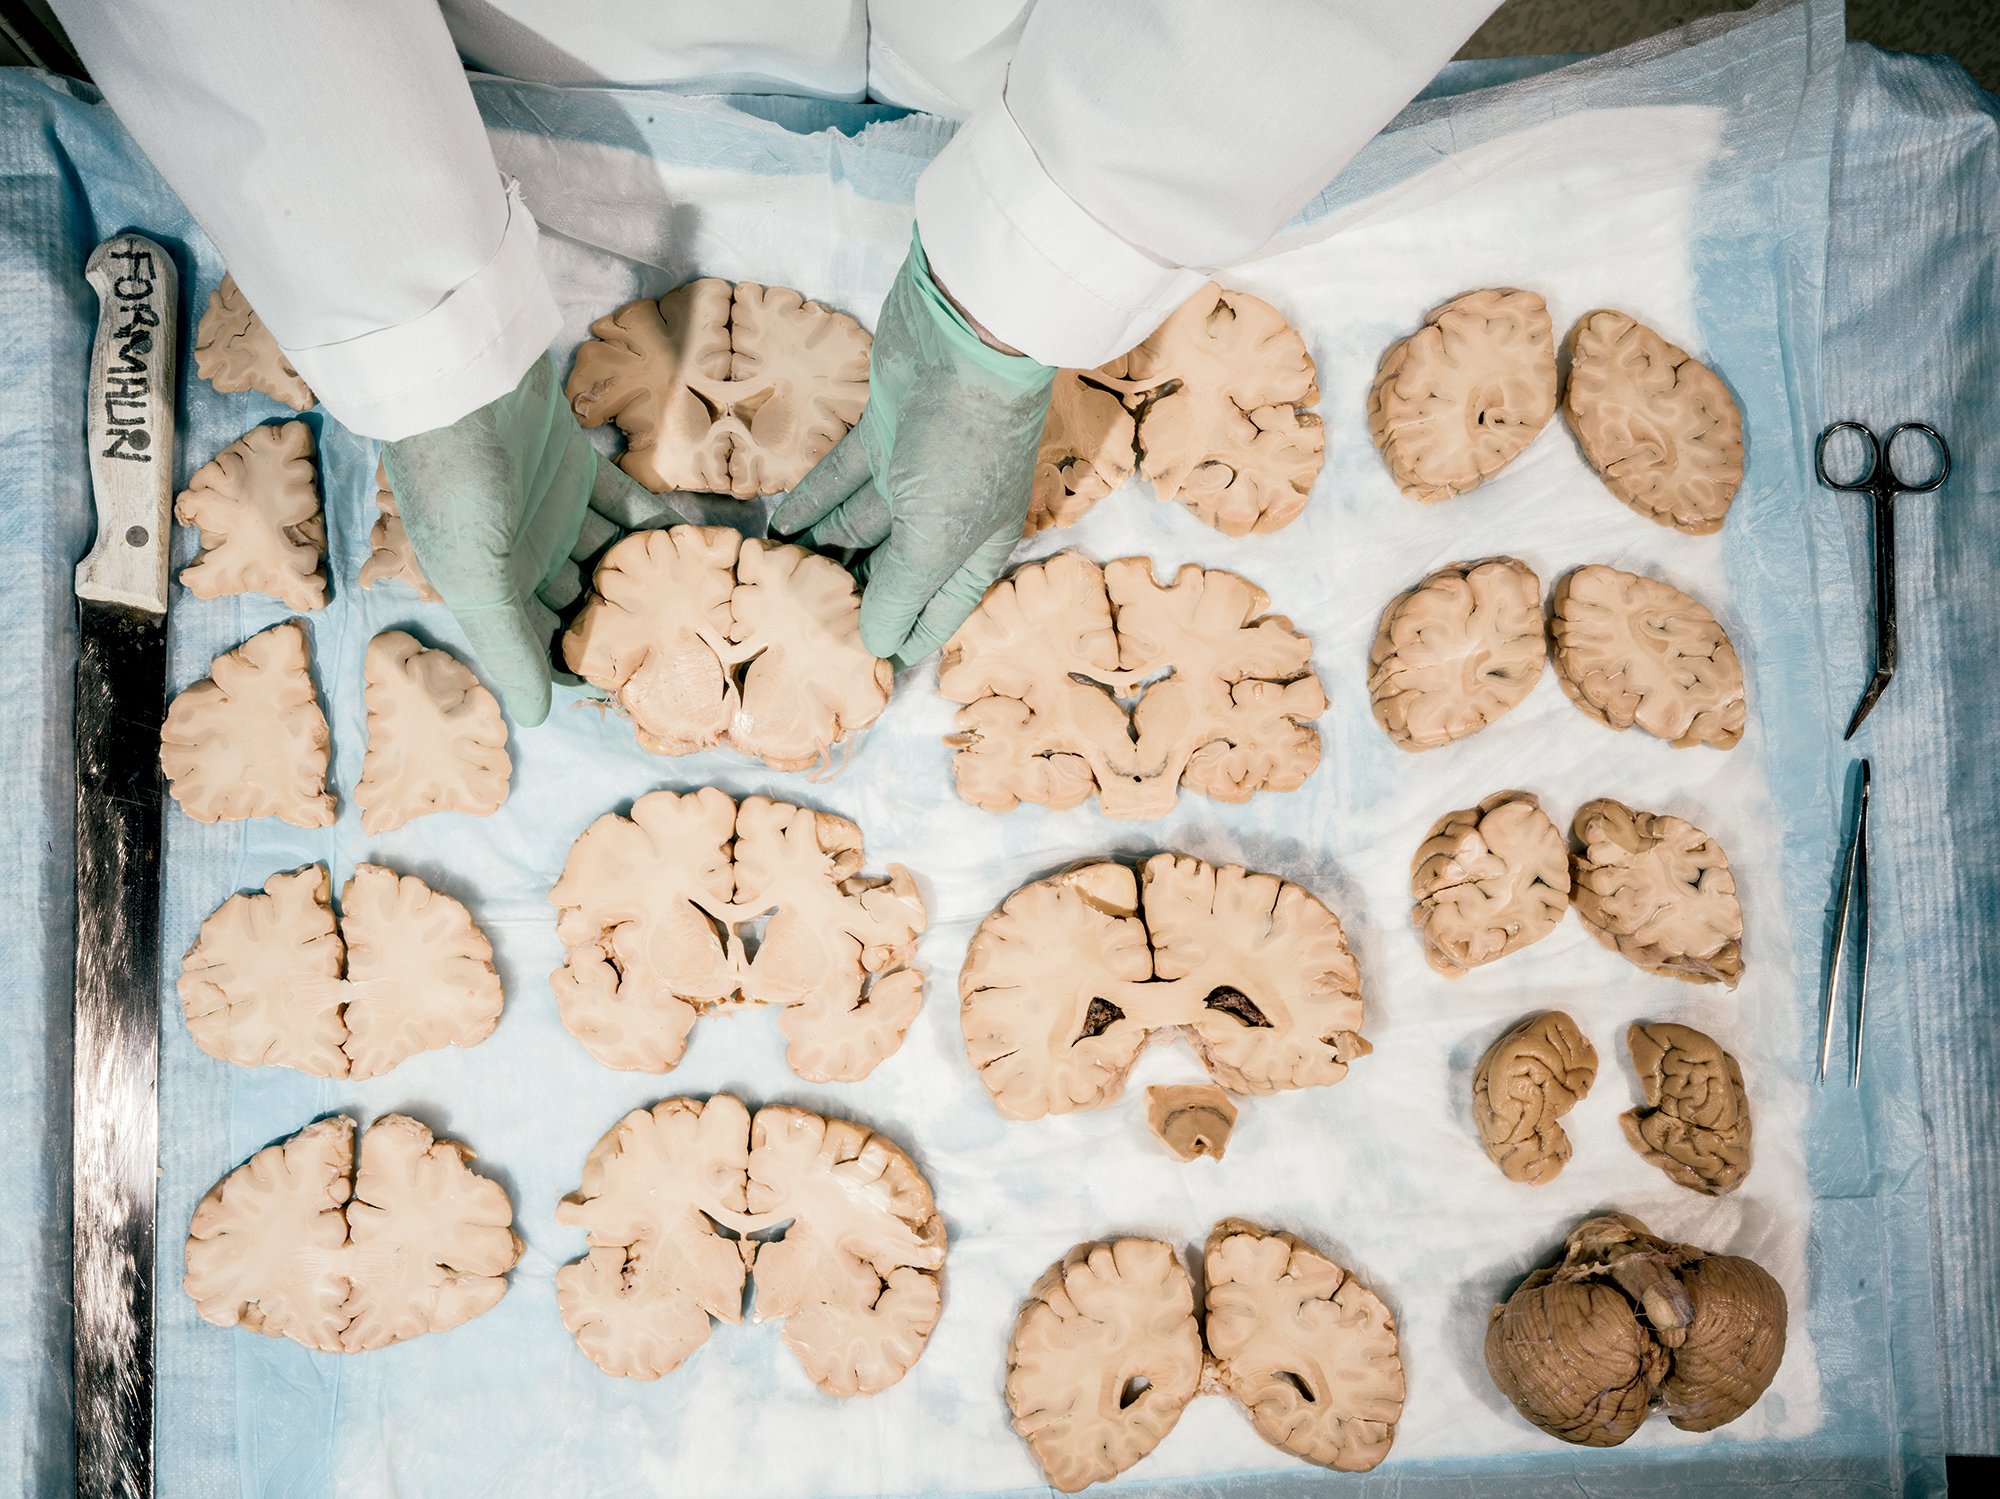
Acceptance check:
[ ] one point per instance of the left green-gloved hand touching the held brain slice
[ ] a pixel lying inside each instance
(501, 509)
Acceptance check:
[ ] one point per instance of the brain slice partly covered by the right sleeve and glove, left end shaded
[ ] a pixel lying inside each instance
(1211, 409)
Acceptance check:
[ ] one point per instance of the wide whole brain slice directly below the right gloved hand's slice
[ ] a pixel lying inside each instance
(1051, 659)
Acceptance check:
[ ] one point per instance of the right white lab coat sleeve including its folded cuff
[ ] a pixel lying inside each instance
(1141, 145)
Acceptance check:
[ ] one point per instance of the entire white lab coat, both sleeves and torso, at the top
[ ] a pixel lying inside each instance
(337, 159)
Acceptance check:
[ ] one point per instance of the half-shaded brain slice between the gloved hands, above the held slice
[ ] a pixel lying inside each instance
(723, 389)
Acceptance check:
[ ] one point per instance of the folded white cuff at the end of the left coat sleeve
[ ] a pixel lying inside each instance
(467, 351)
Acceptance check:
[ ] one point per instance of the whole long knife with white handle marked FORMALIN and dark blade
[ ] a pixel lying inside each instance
(121, 701)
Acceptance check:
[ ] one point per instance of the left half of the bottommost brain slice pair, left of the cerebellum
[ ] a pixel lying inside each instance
(1103, 1360)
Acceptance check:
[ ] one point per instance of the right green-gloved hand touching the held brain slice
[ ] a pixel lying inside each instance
(937, 473)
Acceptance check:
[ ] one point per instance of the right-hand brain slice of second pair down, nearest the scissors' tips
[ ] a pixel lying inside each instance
(1635, 651)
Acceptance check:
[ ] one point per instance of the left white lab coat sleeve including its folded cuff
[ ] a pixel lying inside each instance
(337, 159)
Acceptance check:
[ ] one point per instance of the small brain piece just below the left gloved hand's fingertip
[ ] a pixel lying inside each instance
(435, 737)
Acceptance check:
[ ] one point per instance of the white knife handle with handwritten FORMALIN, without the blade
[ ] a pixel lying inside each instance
(131, 423)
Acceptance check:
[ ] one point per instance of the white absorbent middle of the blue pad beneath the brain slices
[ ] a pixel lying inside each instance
(1383, 1170)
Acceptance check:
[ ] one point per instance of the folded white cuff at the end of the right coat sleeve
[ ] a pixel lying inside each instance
(1027, 261)
